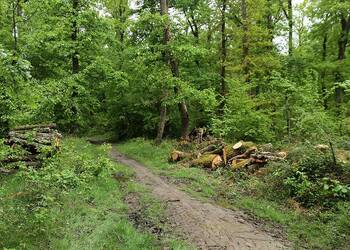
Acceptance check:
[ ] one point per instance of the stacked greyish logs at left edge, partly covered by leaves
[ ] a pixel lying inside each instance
(29, 145)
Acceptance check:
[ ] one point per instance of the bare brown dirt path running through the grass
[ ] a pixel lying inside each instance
(206, 225)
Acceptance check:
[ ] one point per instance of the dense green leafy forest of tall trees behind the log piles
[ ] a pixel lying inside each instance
(260, 70)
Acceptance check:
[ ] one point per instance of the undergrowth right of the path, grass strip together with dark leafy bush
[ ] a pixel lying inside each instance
(313, 214)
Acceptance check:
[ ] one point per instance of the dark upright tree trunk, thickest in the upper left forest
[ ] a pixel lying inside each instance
(74, 37)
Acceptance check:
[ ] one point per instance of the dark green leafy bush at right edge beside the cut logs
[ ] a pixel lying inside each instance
(310, 177)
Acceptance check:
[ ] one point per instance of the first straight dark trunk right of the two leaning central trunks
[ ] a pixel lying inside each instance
(223, 87)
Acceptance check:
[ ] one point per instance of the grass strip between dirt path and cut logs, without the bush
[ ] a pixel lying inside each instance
(311, 228)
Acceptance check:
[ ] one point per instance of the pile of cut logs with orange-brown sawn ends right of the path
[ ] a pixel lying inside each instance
(219, 154)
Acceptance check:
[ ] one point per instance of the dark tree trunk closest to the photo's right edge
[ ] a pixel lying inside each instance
(342, 44)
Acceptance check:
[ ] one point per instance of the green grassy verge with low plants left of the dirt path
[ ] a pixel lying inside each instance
(74, 203)
